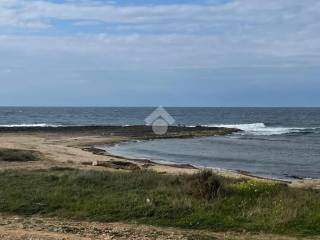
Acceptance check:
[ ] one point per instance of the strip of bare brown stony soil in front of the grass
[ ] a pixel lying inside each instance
(38, 228)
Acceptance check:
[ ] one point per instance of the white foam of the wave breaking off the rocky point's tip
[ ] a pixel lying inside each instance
(260, 129)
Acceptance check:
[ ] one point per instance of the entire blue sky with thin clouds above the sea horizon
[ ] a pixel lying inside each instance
(159, 52)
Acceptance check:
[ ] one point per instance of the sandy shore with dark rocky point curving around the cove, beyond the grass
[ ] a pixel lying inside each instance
(65, 147)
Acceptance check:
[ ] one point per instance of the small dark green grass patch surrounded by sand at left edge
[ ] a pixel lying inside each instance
(17, 155)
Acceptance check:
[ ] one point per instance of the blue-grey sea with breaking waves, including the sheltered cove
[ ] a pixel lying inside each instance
(282, 143)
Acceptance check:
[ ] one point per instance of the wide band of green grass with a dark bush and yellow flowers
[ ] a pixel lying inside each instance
(201, 201)
